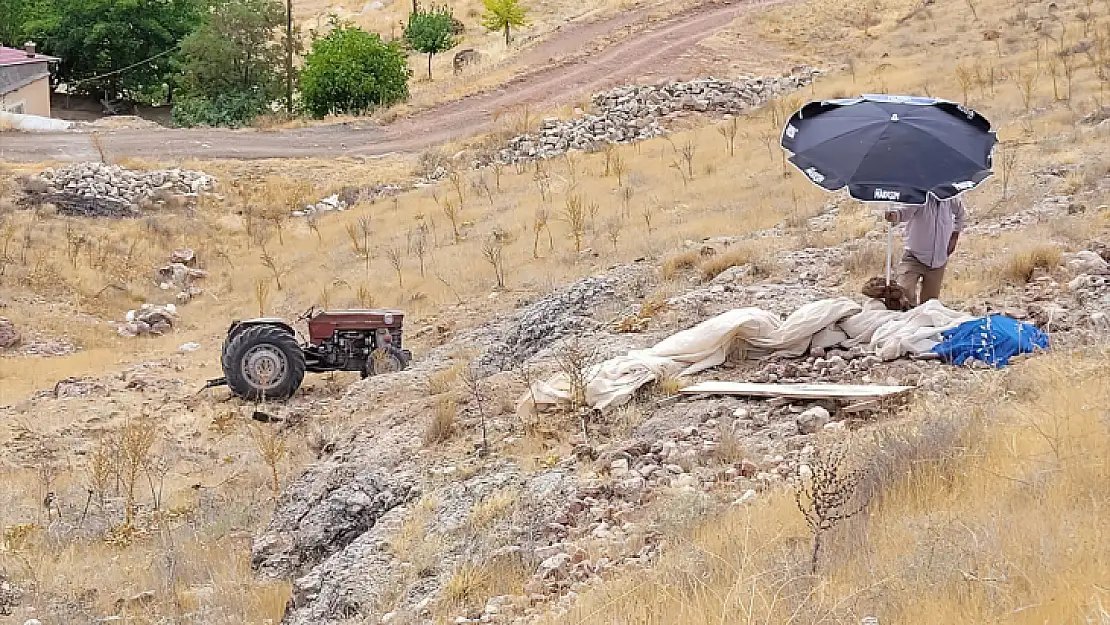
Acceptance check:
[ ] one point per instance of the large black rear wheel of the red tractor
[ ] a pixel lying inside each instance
(264, 362)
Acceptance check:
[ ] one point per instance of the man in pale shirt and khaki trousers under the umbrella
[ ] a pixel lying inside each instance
(933, 230)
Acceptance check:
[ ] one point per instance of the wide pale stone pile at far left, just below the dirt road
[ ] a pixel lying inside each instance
(102, 190)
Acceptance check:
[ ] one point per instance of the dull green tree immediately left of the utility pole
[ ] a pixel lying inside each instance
(233, 64)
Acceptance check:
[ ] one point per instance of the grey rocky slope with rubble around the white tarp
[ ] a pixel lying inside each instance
(386, 529)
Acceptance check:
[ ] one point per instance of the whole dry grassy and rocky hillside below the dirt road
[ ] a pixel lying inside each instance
(430, 497)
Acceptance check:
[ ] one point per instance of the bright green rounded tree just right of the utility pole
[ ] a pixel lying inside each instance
(354, 72)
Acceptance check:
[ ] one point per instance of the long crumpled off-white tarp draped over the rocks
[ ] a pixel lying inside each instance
(758, 334)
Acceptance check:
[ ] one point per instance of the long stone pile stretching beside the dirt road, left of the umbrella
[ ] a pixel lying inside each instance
(638, 113)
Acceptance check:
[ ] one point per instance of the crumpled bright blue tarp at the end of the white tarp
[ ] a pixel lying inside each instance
(993, 340)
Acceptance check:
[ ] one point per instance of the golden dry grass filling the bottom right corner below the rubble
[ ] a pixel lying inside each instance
(977, 520)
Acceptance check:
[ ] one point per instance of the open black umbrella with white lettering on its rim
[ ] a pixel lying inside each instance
(891, 148)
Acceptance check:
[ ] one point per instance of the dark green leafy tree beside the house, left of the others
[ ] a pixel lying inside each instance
(116, 47)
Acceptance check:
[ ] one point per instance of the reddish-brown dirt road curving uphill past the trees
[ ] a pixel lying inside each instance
(649, 52)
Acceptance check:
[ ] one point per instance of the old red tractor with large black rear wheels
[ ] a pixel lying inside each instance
(264, 359)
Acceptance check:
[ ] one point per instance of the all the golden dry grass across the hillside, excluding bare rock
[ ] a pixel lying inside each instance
(1036, 477)
